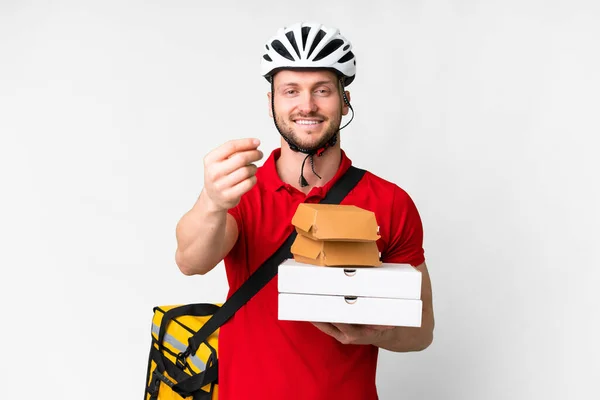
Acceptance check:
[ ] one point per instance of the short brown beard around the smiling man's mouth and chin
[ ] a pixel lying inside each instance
(331, 128)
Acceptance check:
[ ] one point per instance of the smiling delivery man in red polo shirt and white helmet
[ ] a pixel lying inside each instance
(244, 214)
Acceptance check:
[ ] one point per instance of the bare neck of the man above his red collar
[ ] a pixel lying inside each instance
(288, 166)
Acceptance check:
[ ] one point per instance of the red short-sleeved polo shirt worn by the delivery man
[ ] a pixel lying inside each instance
(263, 358)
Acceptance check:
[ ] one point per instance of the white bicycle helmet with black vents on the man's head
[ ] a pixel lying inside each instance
(309, 45)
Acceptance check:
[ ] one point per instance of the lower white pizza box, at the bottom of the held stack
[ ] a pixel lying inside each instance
(349, 310)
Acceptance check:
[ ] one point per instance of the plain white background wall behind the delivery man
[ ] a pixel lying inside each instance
(485, 112)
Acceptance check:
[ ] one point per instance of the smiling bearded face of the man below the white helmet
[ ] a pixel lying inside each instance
(308, 106)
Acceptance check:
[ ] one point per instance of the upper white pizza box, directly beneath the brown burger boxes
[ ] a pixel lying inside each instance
(396, 281)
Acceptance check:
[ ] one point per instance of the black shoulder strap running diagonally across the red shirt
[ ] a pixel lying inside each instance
(268, 270)
